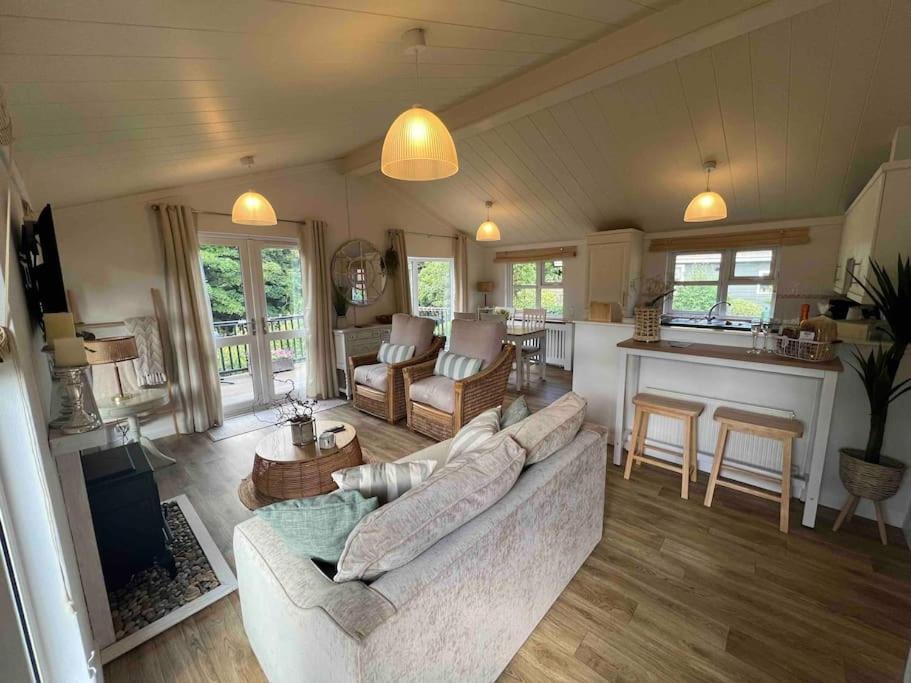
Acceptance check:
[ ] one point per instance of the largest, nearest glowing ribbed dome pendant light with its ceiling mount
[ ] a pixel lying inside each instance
(418, 145)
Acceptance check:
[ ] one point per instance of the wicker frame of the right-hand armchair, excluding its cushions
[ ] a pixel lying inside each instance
(473, 395)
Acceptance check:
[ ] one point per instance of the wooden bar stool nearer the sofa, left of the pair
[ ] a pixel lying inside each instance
(687, 411)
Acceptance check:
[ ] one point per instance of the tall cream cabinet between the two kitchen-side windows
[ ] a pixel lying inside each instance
(614, 262)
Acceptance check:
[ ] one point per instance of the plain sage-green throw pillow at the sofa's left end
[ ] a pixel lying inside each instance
(317, 527)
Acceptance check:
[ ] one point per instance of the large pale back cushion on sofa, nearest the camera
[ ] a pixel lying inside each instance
(398, 532)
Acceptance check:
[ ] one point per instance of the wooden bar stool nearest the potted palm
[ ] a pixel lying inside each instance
(780, 429)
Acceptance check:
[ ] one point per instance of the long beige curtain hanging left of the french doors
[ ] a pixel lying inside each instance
(189, 323)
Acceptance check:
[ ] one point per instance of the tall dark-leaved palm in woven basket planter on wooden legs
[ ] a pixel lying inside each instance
(867, 473)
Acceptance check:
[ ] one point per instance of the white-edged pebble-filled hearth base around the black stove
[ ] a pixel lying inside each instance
(152, 601)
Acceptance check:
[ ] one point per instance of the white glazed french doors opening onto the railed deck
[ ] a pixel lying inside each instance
(256, 297)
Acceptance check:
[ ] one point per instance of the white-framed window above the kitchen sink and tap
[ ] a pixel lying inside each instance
(745, 279)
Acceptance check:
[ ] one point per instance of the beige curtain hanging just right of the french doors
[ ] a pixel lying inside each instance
(322, 381)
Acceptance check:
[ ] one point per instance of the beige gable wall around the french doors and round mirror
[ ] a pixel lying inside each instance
(111, 251)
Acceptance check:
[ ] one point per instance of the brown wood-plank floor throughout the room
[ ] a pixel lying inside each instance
(674, 591)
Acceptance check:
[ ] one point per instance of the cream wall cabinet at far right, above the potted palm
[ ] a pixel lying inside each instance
(877, 225)
